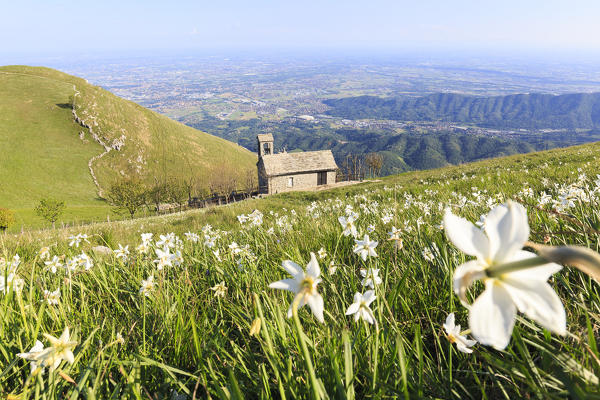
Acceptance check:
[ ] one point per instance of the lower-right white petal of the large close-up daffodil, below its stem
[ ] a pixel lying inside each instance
(537, 300)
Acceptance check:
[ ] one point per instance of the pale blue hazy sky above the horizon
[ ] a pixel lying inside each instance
(32, 27)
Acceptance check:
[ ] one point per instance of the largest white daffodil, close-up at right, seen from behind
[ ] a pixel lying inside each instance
(513, 279)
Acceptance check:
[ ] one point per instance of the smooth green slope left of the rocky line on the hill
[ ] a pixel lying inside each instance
(41, 150)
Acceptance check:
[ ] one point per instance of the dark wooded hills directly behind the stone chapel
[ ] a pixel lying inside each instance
(401, 151)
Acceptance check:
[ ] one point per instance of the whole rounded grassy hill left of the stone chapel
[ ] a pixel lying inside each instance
(46, 152)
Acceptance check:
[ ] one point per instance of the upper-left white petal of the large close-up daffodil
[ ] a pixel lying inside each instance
(467, 237)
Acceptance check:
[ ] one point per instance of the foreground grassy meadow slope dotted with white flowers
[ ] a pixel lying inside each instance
(195, 331)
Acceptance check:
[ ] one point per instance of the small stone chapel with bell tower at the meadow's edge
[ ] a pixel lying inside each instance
(284, 172)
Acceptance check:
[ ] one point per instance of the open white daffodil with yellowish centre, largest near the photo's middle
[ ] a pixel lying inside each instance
(304, 285)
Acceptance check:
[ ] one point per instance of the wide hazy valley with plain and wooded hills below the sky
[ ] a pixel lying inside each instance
(416, 113)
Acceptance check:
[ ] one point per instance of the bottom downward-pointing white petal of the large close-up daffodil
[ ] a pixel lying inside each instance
(492, 316)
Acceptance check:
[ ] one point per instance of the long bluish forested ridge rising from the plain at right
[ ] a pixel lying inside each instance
(533, 111)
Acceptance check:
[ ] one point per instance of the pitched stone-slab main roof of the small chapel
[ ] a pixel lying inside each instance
(293, 163)
